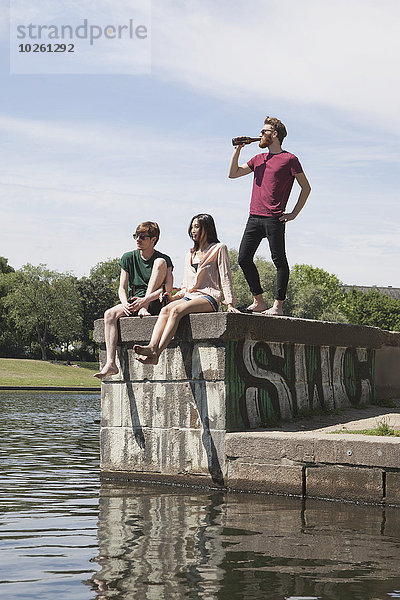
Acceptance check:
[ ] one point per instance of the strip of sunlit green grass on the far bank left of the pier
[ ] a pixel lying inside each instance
(25, 372)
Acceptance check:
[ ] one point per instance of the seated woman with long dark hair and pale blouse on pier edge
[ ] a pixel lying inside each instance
(206, 272)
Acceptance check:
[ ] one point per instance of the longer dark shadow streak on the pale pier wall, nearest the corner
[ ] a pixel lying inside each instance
(214, 466)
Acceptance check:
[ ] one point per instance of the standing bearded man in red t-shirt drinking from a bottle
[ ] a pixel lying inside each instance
(274, 173)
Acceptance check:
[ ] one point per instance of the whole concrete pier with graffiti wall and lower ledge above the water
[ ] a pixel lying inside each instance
(210, 412)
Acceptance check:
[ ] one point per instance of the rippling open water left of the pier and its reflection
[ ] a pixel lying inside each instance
(49, 482)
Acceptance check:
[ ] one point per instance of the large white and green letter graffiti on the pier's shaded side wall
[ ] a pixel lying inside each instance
(269, 381)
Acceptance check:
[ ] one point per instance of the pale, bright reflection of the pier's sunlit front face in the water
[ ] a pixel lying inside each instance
(155, 544)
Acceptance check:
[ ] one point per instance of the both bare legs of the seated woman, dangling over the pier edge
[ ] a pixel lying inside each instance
(163, 334)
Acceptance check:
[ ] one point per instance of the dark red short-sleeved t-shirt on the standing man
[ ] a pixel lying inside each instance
(273, 181)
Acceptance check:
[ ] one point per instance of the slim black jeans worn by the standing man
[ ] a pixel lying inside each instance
(257, 229)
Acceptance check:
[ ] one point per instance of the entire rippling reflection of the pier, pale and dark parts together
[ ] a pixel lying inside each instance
(165, 543)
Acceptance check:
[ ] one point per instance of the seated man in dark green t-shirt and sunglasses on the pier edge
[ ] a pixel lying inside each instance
(145, 274)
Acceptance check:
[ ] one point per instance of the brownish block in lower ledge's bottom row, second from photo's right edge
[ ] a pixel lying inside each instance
(346, 483)
